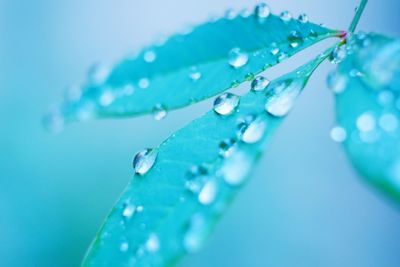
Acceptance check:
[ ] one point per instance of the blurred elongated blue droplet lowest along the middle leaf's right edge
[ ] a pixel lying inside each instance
(195, 236)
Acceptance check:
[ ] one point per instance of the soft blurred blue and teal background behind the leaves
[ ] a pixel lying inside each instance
(304, 207)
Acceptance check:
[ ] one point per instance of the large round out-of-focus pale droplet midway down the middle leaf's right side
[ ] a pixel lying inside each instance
(236, 168)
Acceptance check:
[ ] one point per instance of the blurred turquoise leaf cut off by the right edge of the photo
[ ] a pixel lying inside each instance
(367, 86)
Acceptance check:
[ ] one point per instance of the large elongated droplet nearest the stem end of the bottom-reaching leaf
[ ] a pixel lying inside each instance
(282, 101)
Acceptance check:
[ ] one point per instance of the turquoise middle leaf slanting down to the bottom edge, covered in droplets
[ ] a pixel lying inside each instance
(185, 185)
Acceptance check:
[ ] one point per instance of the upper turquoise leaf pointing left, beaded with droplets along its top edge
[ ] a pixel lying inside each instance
(190, 67)
